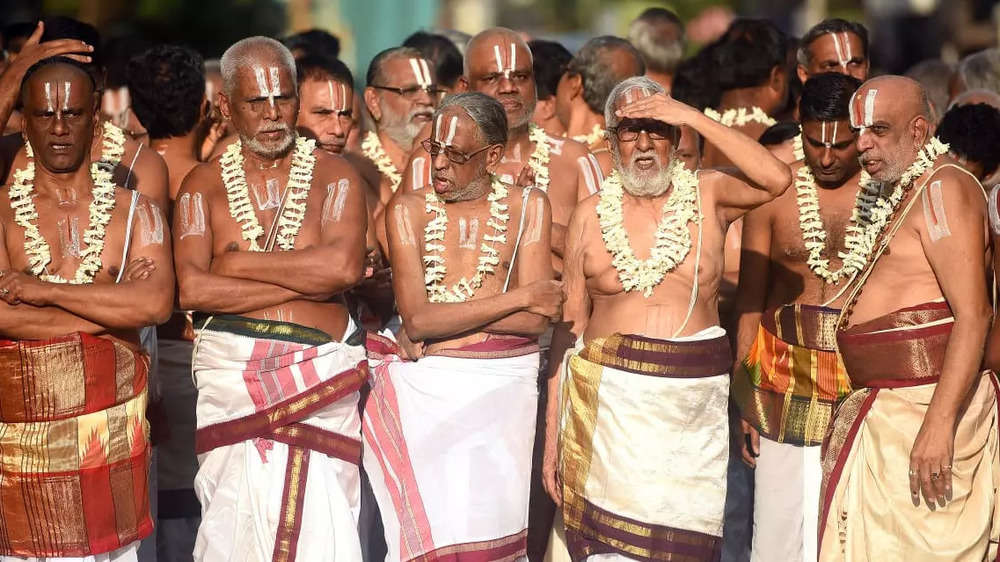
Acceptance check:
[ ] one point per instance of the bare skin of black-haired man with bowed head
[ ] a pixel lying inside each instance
(773, 260)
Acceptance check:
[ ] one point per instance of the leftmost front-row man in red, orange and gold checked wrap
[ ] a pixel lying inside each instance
(73, 369)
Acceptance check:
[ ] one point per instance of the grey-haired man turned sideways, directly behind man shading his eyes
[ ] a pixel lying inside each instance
(595, 69)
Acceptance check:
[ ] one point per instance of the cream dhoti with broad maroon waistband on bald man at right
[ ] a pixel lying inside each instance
(867, 512)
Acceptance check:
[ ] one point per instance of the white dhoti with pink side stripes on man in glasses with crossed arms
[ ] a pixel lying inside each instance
(448, 442)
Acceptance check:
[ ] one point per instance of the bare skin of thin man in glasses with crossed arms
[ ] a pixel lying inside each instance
(533, 299)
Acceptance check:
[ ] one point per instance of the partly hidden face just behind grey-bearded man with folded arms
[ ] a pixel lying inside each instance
(326, 113)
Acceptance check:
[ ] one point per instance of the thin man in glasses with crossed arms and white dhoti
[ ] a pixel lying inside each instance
(448, 436)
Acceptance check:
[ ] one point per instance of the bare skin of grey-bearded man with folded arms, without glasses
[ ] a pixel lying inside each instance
(215, 271)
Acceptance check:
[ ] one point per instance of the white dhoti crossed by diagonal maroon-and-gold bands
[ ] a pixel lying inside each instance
(278, 442)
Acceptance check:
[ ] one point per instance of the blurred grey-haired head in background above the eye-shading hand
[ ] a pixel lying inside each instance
(658, 34)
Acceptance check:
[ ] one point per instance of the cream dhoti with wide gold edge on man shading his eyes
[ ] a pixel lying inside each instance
(644, 447)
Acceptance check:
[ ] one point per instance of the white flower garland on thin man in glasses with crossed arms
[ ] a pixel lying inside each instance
(489, 257)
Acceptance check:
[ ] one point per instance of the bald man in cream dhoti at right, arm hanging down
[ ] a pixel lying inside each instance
(911, 466)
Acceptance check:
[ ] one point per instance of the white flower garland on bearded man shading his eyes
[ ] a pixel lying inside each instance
(673, 238)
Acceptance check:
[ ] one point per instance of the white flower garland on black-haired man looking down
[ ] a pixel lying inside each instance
(814, 234)
